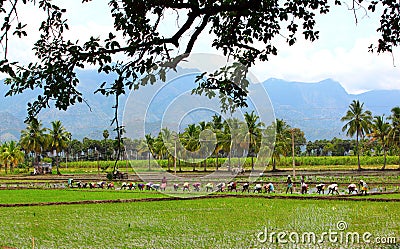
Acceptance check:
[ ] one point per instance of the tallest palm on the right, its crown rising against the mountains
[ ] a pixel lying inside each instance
(358, 123)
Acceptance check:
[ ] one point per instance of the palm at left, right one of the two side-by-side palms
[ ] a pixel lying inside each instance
(58, 138)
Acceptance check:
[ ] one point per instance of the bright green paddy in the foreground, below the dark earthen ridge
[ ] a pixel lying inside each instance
(200, 223)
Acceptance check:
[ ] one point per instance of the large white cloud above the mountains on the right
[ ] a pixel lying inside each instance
(341, 54)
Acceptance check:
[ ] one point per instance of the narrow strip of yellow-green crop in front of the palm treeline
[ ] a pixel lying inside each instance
(302, 163)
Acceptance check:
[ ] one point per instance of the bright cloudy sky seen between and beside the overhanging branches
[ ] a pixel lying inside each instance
(341, 53)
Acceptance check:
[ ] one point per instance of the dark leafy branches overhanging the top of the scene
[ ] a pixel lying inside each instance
(245, 30)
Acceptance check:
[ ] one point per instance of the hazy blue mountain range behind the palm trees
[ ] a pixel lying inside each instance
(316, 108)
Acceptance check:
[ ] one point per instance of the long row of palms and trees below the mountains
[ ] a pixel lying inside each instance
(217, 139)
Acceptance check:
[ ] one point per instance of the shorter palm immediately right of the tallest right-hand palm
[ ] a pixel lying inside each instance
(380, 132)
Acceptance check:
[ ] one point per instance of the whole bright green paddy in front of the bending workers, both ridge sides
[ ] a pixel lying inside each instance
(150, 219)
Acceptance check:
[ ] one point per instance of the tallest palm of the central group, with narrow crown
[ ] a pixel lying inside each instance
(254, 133)
